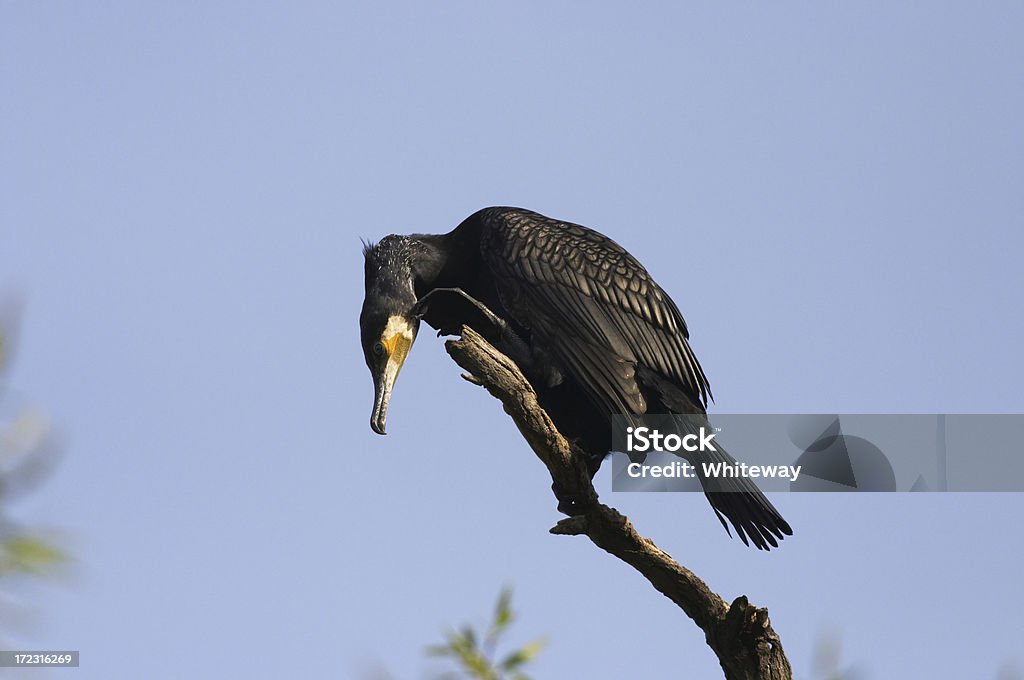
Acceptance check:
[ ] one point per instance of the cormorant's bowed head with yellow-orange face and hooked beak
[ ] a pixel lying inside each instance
(388, 323)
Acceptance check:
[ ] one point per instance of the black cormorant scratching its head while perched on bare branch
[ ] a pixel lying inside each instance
(581, 317)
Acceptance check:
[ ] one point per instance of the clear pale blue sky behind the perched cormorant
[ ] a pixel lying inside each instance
(831, 194)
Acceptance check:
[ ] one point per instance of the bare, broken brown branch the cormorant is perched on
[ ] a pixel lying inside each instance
(741, 634)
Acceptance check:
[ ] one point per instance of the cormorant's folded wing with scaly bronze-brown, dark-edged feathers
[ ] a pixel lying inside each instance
(594, 305)
